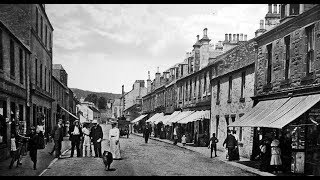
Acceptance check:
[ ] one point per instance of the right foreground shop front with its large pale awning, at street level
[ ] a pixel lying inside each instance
(295, 122)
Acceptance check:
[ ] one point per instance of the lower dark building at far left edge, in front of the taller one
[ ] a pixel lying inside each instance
(14, 93)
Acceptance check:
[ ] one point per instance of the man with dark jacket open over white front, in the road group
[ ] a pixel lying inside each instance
(75, 133)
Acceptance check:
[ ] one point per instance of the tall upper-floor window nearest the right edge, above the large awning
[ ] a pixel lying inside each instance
(310, 49)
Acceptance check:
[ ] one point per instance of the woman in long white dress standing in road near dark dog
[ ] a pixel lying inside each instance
(114, 141)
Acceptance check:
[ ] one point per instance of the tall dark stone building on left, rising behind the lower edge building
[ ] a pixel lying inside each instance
(30, 23)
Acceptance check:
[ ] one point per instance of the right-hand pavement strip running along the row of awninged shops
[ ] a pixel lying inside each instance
(221, 156)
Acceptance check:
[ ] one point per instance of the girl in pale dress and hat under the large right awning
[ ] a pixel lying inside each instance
(275, 161)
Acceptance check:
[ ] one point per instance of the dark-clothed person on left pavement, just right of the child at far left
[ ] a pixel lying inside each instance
(33, 146)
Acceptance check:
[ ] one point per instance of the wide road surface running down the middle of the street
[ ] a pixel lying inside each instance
(152, 159)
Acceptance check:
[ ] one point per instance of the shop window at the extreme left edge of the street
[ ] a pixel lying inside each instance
(3, 124)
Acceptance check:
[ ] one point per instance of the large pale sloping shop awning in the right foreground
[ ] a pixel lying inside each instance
(276, 113)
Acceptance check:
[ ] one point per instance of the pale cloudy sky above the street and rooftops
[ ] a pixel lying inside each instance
(105, 46)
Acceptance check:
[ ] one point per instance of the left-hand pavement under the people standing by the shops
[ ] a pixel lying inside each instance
(44, 161)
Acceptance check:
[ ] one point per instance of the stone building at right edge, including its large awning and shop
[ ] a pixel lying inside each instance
(286, 94)
